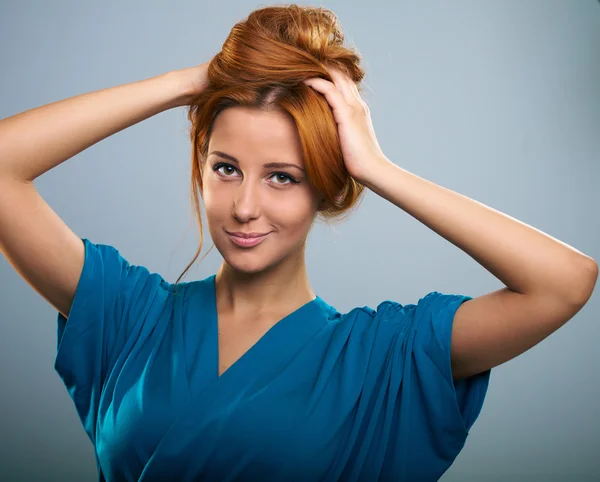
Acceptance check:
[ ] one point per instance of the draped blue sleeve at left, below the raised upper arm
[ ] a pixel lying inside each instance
(112, 302)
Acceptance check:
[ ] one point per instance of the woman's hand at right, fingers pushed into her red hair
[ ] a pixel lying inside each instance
(360, 149)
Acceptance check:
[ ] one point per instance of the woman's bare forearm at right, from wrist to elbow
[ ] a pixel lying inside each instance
(525, 259)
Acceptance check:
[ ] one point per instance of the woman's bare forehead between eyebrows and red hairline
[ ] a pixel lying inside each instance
(251, 132)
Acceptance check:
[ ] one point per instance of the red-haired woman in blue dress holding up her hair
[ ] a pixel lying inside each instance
(247, 374)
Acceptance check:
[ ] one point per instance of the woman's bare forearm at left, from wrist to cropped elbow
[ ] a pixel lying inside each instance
(39, 139)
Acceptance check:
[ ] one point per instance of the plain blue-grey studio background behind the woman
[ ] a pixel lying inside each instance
(499, 101)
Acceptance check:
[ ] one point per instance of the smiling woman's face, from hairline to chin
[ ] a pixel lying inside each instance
(243, 193)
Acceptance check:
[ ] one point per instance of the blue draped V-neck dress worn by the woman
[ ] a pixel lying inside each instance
(362, 396)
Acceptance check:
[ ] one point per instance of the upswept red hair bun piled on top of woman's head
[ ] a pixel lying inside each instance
(285, 45)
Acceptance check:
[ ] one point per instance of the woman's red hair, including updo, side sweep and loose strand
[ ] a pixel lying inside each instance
(262, 65)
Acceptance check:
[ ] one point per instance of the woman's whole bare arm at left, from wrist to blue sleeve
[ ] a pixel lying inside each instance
(33, 238)
